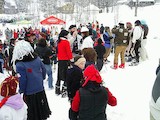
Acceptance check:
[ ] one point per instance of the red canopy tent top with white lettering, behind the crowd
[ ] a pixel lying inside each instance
(52, 21)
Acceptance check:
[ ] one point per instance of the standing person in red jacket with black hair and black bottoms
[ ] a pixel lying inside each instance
(64, 55)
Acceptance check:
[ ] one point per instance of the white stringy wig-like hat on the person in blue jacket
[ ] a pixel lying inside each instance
(22, 48)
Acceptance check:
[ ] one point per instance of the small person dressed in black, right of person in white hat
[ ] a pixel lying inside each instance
(100, 49)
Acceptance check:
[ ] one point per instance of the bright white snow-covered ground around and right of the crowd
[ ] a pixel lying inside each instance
(132, 86)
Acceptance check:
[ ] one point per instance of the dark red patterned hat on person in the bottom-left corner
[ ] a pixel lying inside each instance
(8, 86)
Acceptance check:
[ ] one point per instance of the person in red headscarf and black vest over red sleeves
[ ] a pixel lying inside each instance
(91, 100)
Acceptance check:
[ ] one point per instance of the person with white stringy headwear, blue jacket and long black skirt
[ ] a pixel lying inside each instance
(31, 72)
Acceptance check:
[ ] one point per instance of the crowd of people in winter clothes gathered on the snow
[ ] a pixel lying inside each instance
(80, 53)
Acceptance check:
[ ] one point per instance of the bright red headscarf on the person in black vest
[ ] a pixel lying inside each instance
(91, 74)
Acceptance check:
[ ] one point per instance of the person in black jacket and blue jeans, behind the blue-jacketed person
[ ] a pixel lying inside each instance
(44, 52)
